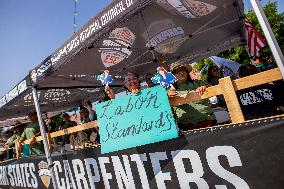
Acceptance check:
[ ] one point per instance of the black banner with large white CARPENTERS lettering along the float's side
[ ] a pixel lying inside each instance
(242, 156)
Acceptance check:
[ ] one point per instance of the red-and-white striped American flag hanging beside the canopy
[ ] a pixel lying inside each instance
(254, 40)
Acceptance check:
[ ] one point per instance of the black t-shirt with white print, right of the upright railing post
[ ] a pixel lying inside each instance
(257, 102)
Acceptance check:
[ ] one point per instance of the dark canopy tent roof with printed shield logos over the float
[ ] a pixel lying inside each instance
(128, 36)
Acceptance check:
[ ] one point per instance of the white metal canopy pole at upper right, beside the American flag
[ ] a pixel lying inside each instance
(276, 51)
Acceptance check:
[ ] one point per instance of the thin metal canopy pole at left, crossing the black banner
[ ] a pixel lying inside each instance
(43, 134)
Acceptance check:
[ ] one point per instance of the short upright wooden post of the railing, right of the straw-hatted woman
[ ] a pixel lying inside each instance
(231, 99)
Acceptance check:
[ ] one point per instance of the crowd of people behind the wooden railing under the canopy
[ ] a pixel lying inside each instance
(255, 102)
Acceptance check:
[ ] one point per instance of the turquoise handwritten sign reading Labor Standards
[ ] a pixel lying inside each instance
(135, 120)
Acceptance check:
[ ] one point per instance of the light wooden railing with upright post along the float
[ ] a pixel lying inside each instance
(226, 86)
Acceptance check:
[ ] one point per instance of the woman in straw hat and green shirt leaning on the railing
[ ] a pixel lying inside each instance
(193, 115)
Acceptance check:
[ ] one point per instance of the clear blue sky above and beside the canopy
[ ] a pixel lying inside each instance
(31, 30)
